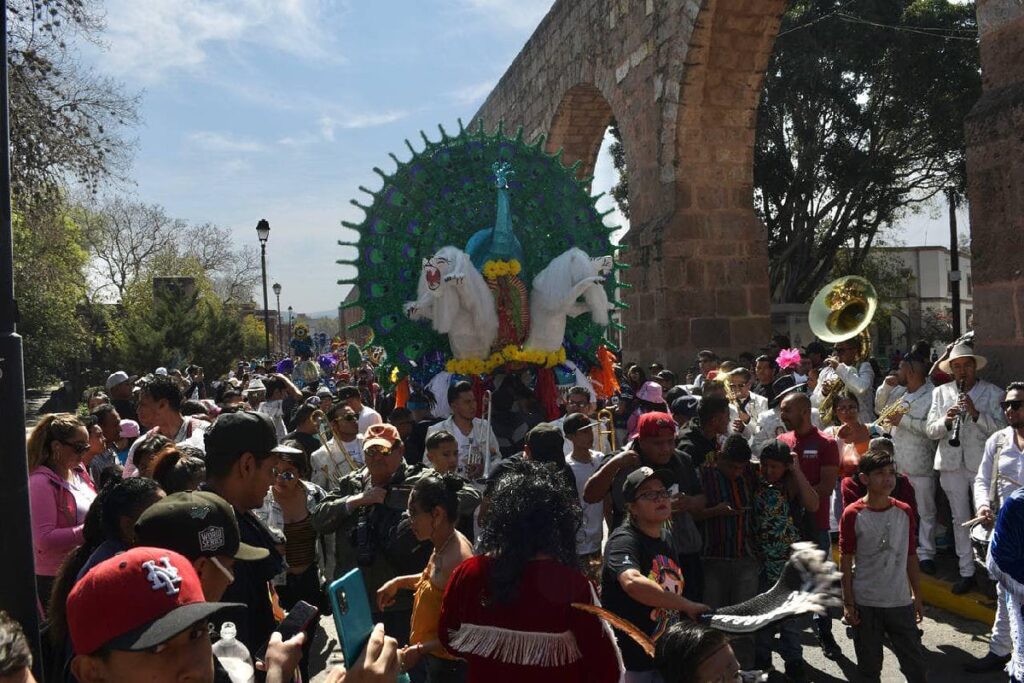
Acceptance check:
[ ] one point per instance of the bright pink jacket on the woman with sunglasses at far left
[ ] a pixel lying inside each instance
(56, 531)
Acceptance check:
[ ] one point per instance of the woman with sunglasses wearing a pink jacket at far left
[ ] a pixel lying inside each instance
(61, 493)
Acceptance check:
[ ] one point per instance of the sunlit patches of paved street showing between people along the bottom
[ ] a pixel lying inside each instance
(951, 643)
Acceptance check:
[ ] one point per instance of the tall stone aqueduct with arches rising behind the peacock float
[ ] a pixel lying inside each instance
(684, 79)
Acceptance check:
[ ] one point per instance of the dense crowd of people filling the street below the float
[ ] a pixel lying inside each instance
(176, 519)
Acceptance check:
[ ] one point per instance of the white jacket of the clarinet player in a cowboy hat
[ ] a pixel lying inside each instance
(987, 398)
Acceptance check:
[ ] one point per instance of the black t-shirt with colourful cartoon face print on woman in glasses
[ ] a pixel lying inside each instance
(629, 548)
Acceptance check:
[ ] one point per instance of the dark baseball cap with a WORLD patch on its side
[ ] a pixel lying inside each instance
(196, 524)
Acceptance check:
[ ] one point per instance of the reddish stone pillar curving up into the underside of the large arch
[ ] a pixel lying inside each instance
(704, 274)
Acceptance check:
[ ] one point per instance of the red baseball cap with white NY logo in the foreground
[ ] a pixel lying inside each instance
(137, 601)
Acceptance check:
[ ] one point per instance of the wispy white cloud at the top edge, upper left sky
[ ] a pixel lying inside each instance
(149, 39)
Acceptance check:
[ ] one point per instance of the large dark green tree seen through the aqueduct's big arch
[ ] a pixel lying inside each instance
(862, 120)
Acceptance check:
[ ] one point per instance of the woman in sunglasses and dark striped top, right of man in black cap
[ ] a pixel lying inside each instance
(287, 510)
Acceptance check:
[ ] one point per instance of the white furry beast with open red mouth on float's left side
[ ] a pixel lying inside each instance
(455, 297)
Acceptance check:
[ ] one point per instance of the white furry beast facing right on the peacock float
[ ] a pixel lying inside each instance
(569, 277)
